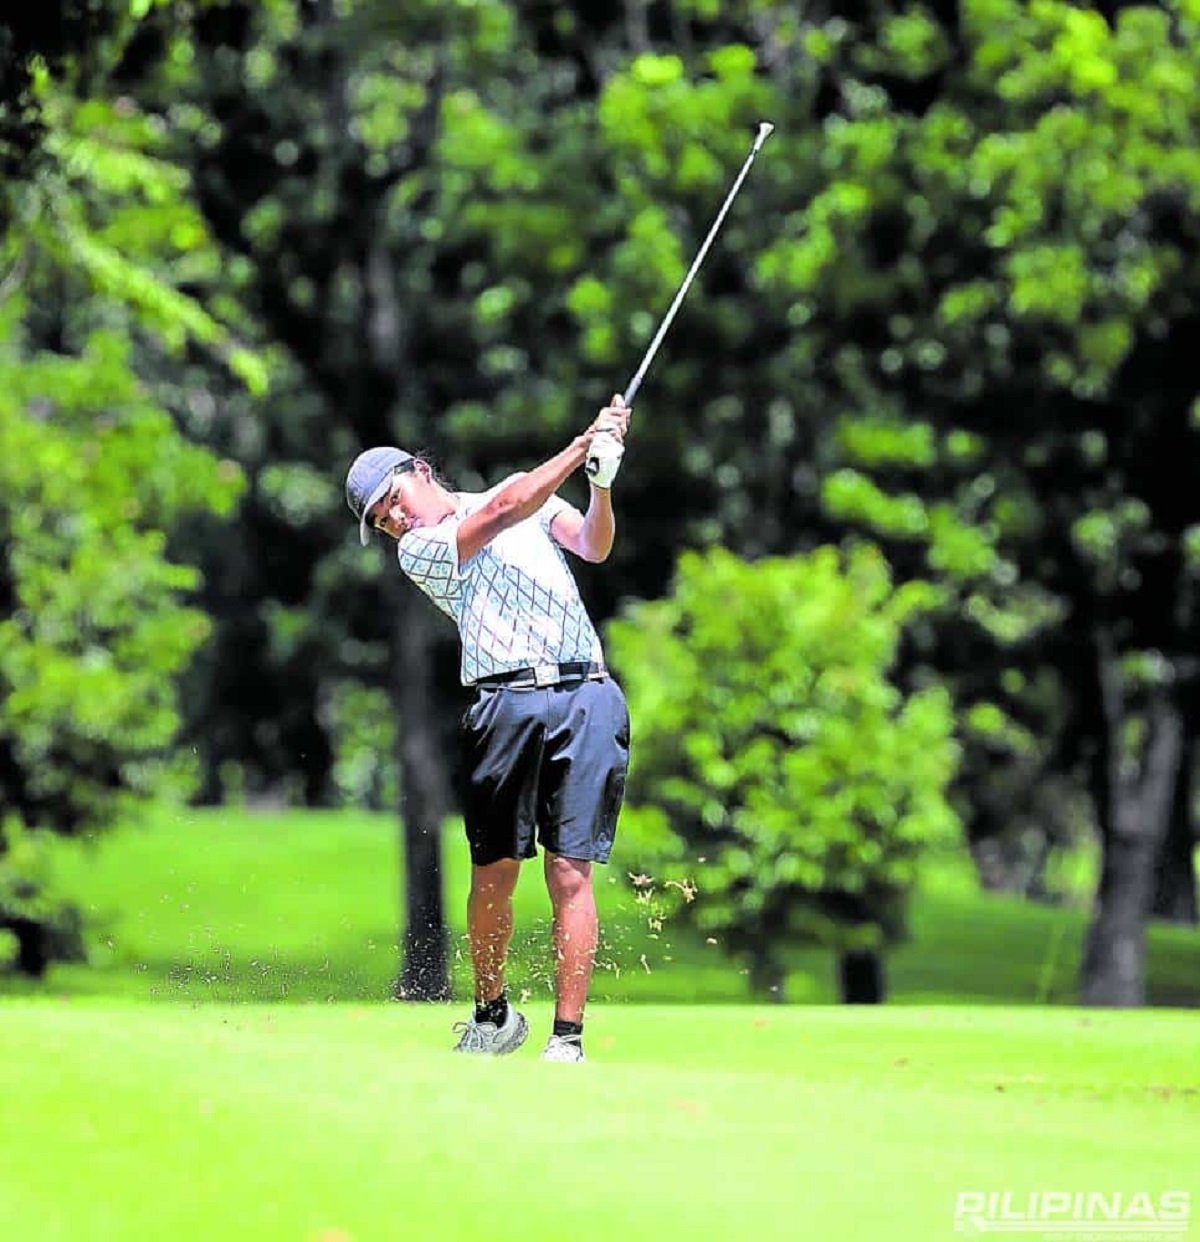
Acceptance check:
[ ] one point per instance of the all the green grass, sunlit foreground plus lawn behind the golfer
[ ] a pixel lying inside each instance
(168, 1094)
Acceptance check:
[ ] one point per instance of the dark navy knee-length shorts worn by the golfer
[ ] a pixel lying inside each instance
(545, 768)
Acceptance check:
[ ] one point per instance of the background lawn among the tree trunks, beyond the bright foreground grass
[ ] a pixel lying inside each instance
(232, 906)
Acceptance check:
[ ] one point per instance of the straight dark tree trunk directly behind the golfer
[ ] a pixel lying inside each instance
(424, 798)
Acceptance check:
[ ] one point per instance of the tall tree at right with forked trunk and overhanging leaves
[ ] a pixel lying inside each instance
(998, 276)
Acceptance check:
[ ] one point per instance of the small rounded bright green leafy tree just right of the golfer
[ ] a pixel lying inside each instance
(783, 787)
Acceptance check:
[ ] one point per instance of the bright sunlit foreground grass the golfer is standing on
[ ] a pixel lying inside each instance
(131, 1121)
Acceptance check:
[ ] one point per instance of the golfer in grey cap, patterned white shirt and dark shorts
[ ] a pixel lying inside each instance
(546, 741)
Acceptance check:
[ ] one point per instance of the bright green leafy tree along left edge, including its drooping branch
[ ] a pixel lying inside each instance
(93, 474)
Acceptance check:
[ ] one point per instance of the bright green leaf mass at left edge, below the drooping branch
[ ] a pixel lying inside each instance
(91, 475)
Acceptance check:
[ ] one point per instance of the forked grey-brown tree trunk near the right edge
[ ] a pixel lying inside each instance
(1134, 827)
